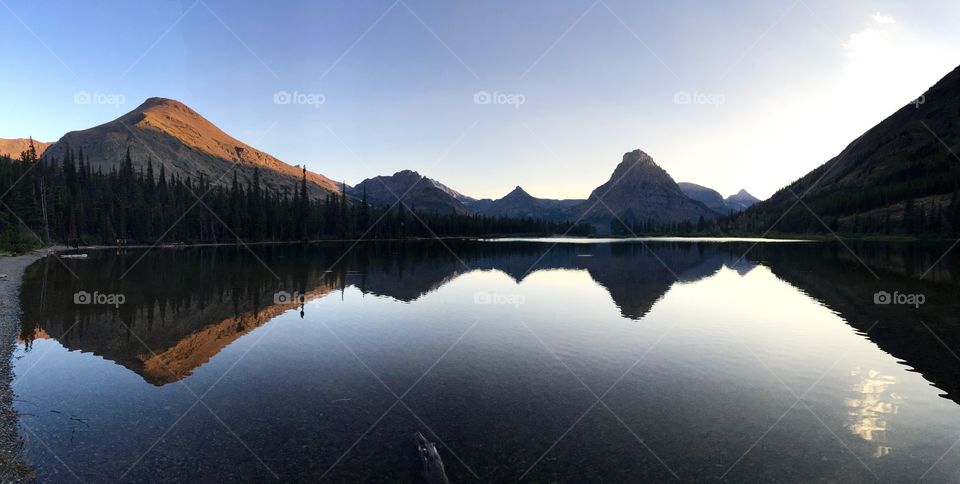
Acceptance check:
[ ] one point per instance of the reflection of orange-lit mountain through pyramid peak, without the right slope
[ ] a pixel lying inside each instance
(187, 305)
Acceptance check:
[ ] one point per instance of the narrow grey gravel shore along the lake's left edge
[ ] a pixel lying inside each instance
(12, 466)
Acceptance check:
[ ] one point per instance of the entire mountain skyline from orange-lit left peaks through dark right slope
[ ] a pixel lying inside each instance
(901, 176)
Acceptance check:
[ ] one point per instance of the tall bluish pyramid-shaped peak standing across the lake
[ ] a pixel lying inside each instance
(640, 191)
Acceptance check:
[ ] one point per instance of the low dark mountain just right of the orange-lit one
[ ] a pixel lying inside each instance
(417, 191)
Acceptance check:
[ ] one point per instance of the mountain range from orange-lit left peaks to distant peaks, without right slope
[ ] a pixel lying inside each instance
(173, 136)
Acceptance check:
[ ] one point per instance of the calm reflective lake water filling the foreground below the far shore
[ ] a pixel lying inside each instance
(618, 361)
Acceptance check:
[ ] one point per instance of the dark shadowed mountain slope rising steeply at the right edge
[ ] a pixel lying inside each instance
(901, 176)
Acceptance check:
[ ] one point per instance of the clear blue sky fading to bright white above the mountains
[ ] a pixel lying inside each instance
(486, 96)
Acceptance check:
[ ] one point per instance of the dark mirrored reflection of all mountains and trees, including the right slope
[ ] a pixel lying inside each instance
(187, 305)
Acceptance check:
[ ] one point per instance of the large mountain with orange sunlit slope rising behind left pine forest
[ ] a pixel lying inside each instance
(187, 144)
